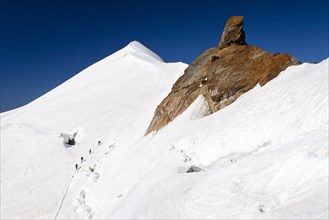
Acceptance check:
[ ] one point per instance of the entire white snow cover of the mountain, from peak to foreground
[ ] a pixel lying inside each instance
(264, 156)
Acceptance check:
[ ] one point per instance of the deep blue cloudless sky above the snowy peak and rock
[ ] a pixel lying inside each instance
(44, 43)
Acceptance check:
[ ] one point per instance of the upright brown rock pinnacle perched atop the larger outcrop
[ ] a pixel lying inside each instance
(233, 33)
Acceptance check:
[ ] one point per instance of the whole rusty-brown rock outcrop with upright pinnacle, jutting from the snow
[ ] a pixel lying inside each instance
(221, 75)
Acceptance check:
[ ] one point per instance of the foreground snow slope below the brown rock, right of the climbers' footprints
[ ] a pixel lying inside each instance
(265, 156)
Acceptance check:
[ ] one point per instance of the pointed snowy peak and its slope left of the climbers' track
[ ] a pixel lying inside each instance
(104, 101)
